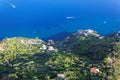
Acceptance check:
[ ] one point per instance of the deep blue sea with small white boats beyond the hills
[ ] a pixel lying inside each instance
(48, 18)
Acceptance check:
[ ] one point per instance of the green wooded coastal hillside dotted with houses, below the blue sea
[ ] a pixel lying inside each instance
(84, 55)
